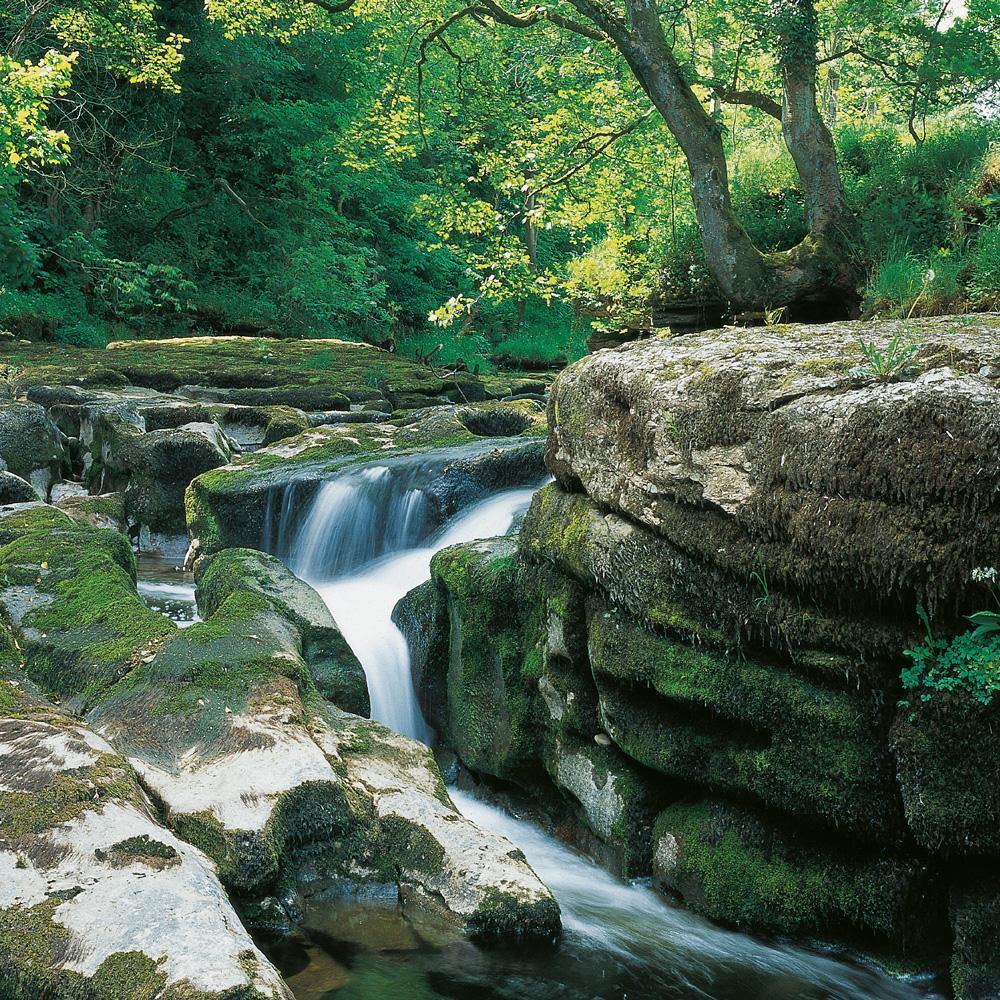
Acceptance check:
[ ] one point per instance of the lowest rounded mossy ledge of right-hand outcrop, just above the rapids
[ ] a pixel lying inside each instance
(737, 867)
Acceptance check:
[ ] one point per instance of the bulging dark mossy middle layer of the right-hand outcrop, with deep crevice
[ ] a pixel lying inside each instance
(744, 727)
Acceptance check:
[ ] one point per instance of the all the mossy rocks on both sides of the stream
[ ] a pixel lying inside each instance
(689, 658)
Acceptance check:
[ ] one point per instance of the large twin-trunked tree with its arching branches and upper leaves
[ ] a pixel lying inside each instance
(779, 45)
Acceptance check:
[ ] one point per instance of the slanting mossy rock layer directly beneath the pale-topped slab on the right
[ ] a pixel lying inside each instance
(713, 605)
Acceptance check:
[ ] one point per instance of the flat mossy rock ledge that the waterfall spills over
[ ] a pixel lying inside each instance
(235, 505)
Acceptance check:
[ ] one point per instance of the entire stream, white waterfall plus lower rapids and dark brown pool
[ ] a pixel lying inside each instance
(366, 540)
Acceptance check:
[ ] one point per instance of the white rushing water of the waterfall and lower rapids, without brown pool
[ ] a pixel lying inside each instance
(606, 921)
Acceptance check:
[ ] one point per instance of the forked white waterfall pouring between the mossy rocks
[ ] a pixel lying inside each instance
(367, 540)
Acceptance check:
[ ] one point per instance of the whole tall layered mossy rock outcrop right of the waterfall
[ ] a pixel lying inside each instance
(699, 636)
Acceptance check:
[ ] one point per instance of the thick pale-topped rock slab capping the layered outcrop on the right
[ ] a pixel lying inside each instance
(849, 482)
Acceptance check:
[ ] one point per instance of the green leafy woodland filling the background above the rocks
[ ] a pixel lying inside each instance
(384, 169)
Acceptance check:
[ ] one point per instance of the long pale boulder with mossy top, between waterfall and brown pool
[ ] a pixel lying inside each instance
(229, 732)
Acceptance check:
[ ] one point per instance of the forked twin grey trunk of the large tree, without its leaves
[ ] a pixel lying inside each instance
(815, 277)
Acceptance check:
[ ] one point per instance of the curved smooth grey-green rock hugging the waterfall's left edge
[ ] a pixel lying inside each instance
(335, 670)
